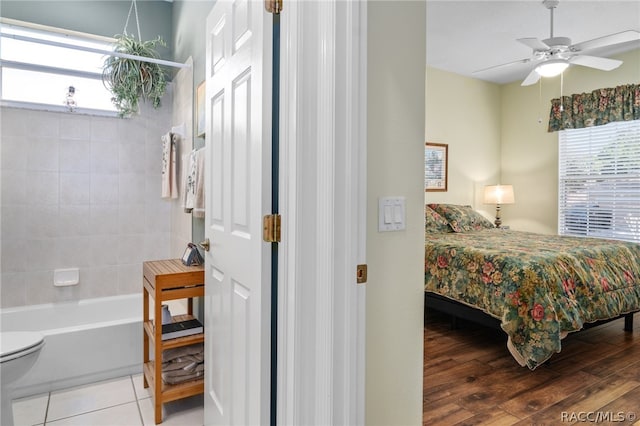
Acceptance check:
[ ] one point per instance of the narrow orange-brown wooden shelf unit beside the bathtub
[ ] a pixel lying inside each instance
(168, 280)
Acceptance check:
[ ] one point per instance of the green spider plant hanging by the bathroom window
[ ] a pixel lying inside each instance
(132, 79)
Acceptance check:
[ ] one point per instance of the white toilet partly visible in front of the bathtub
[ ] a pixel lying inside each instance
(20, 350)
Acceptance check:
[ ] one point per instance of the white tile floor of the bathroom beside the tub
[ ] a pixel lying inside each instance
(117, 402)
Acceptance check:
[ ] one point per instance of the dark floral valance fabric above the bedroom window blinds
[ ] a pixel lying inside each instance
(599, 107)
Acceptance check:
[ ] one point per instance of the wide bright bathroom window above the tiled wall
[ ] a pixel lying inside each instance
(38, 72)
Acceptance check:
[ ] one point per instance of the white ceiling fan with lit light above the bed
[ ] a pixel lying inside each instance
(554, 54)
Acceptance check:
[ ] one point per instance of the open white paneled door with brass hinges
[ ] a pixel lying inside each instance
(238, 174)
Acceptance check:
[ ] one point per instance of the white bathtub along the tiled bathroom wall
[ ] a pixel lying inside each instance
(85, 341)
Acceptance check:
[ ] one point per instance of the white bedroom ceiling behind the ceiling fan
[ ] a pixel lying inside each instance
(466, 36)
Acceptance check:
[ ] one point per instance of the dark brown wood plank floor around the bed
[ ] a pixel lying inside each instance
(470, 378)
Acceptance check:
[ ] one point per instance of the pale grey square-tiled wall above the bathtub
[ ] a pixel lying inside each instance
(80, 191)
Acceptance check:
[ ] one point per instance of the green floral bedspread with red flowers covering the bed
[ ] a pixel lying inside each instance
(540, 286)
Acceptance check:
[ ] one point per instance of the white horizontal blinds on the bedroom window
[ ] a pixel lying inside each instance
(599, 181)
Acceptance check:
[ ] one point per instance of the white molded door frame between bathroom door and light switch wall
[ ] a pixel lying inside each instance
(321, 311)
